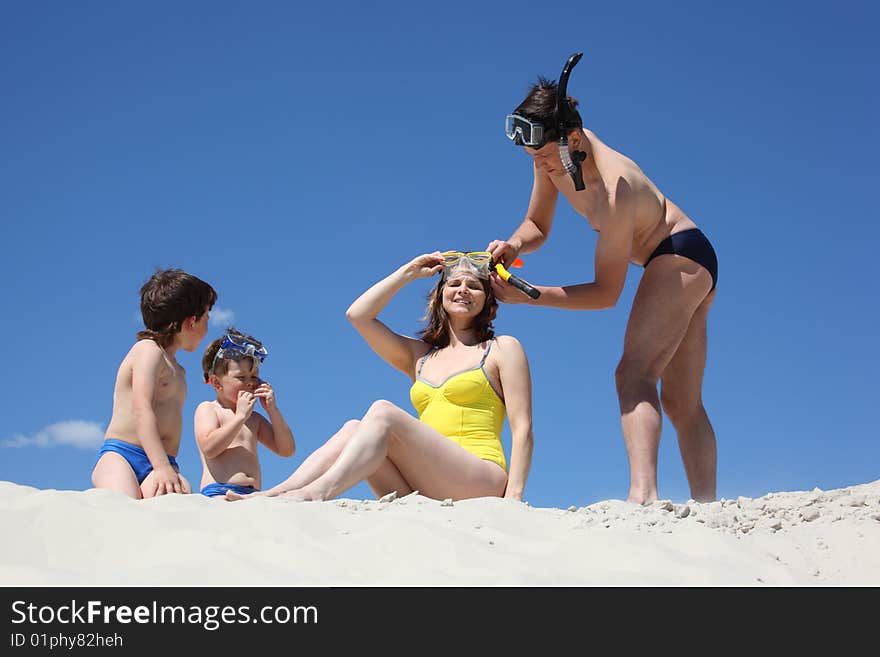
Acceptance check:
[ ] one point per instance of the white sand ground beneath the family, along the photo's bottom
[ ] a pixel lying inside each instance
(97, 537)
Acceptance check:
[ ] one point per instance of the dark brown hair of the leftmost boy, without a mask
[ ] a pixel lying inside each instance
(168, 298)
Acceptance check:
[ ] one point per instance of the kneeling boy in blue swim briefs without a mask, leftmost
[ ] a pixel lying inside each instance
(142, 440)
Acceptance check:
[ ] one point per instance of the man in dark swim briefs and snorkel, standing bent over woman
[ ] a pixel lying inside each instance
(665, 336)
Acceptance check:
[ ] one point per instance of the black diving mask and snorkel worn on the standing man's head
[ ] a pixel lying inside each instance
(525, 132)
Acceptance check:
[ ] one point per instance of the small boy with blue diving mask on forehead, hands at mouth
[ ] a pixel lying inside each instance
(227, 429)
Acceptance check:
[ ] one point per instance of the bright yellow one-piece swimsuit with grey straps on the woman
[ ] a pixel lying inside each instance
(465, 408)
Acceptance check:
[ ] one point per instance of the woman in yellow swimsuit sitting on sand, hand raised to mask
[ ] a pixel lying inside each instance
(464, 379)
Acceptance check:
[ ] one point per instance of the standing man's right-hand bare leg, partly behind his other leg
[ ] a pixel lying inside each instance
(682, 399)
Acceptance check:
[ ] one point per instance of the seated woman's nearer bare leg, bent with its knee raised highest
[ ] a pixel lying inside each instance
(425, 459)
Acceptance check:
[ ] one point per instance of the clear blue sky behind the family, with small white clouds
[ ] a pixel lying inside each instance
(293, 155)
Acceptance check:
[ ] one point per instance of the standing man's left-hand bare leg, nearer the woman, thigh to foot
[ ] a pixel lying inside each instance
(670, 291)
